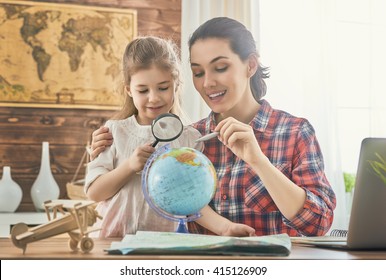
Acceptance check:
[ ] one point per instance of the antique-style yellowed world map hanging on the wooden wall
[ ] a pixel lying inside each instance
(62, 56)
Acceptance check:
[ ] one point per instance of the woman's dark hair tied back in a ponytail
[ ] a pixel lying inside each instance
(241, 42)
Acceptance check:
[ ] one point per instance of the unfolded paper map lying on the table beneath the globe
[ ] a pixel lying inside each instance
(149, 242)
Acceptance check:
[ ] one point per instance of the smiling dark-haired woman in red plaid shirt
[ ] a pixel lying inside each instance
(269, 164)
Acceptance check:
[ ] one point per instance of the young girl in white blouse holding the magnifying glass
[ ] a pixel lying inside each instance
(151, 82)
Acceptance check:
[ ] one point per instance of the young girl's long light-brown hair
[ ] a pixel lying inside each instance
(141, 54)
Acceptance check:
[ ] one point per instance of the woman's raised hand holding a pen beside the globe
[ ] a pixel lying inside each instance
(240, 138)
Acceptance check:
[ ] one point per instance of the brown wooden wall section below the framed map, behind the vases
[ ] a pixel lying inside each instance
(24, 129)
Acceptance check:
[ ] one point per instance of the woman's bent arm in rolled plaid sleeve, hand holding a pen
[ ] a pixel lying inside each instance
(306, 200)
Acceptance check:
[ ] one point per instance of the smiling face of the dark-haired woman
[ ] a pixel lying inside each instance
(220, 76)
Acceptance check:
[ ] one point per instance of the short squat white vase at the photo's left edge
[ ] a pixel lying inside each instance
(10, 192)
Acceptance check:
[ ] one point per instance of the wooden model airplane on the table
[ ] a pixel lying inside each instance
(76, 219)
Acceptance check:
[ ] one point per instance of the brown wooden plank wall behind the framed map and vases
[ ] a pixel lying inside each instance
(22, 130)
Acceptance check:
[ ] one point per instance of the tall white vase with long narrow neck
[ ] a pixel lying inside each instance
(45, 187)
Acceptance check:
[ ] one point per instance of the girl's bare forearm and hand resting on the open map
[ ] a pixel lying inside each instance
(222, 226)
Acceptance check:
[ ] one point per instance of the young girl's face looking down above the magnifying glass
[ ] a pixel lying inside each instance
(152, 91)
